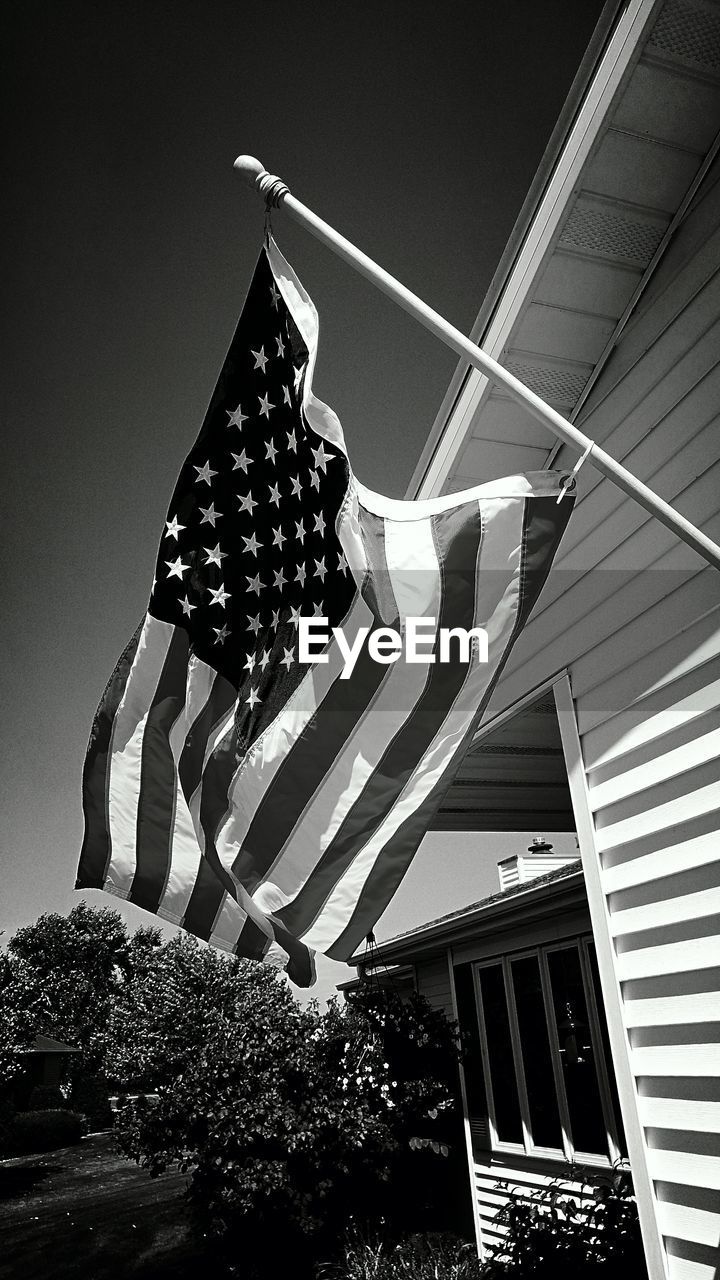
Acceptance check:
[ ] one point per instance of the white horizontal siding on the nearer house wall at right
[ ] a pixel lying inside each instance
(635, 618)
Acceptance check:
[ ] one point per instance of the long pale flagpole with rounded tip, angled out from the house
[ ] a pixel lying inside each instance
(276, 194)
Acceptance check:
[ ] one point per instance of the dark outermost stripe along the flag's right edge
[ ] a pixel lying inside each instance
(543, 529)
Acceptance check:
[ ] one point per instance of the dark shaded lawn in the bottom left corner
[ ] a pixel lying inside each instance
(86, 1212)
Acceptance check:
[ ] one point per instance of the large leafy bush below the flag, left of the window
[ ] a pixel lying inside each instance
(293, 1122)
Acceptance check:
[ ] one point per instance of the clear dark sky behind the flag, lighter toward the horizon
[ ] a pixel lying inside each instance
(414, 127)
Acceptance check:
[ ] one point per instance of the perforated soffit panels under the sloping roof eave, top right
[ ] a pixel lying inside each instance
(642, 166)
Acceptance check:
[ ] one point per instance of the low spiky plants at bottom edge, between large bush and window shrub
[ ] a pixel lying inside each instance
(418, 1258)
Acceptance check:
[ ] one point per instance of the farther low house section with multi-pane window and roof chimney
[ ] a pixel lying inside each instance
(518, 973)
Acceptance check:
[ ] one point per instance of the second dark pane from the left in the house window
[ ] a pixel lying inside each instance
(532, 1022)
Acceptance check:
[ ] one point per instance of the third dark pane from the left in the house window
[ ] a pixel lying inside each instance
(576, 1052)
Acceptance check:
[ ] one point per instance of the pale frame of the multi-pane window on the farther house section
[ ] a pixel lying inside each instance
(528, 1148)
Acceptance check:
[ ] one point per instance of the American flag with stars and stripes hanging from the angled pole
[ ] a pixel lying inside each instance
(262, 803)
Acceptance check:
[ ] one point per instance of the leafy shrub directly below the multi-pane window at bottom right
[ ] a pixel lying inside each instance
(553, 1236)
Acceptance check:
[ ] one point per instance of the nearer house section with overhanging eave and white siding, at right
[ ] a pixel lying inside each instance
(608, 304)
